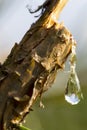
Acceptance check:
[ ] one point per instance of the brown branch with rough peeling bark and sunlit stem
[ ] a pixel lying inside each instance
(31, 67)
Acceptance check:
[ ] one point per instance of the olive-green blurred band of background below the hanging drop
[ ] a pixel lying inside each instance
(58, 115)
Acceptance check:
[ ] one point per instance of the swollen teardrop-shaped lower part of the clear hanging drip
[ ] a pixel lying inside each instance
(73, 92)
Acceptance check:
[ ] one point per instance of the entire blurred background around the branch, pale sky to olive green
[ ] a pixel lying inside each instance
(15, 20)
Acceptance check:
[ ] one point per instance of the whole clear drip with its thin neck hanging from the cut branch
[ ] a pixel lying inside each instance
(73, 92)
